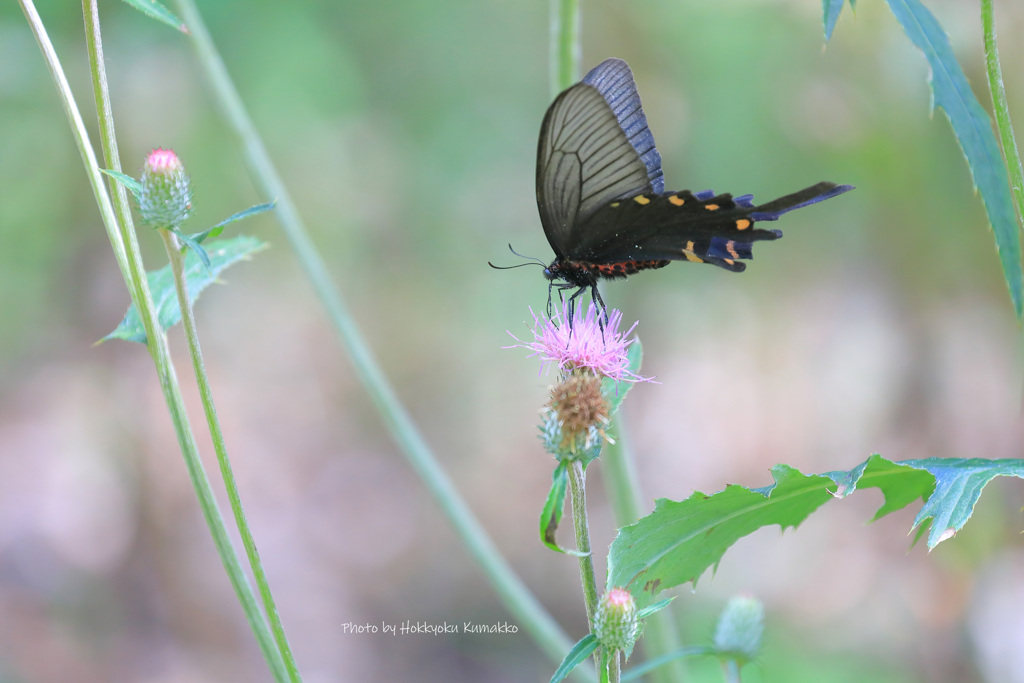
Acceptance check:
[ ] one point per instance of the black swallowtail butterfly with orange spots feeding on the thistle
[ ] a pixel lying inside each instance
(603, 201)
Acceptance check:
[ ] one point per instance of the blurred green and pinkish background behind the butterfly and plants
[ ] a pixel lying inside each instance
(407, 133)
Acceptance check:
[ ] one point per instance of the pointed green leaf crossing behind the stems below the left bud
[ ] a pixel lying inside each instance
(223, 253)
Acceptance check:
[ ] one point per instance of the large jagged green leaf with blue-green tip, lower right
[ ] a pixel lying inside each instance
(680, 541)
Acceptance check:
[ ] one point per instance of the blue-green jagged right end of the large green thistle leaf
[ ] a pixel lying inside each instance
(959, 483)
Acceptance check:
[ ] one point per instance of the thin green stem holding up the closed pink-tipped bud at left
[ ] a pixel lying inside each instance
(177, 260)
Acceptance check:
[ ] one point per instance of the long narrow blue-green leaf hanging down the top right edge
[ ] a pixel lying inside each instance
(973, 130)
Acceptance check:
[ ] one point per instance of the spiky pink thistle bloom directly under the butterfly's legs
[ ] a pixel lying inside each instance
(583, 346)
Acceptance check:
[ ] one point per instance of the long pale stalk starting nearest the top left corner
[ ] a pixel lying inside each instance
(134, 274)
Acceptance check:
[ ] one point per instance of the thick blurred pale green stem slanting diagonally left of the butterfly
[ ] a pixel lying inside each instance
(517, 597)
